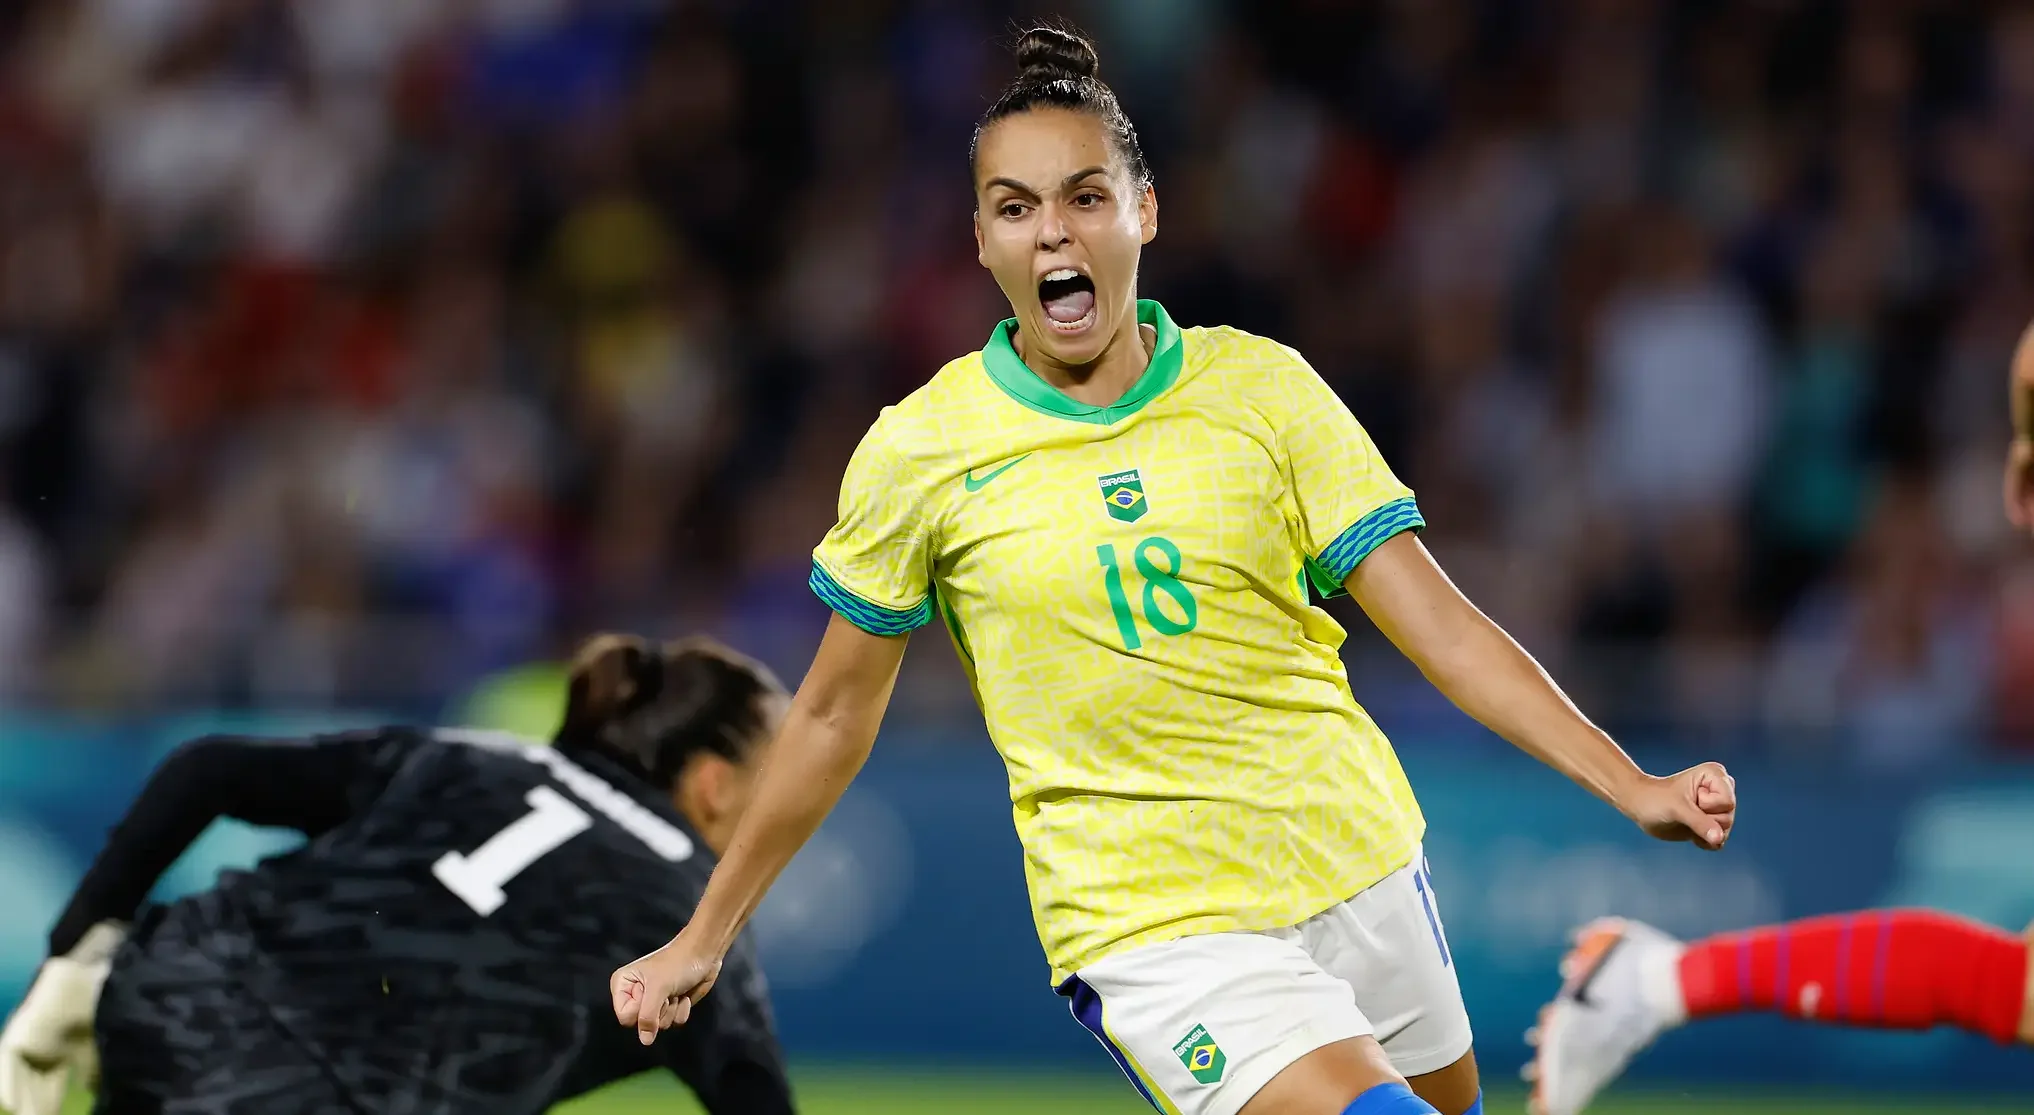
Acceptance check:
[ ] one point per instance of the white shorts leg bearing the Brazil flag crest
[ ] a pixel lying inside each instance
(1203, 1024)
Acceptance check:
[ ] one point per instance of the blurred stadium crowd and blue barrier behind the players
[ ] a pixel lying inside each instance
(357, 357)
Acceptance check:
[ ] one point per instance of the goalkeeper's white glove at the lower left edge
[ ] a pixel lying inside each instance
(50, 1035)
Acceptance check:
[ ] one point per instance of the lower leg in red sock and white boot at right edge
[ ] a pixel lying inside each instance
(1880, 970)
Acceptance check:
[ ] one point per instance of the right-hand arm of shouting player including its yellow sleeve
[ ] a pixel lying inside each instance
(1360, 534)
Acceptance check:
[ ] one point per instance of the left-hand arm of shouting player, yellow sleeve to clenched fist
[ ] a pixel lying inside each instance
(876, 573)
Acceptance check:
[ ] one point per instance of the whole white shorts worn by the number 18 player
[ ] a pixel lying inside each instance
(1203, 1022)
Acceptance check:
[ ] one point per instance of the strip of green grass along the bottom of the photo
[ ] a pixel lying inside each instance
(874, 1092)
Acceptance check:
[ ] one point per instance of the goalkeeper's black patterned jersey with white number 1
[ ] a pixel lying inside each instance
(442, 941)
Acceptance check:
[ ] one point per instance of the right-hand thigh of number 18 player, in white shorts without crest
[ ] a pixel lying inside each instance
(1392, 947)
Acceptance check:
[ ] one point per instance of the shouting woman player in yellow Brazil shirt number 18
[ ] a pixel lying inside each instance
(1120, 522)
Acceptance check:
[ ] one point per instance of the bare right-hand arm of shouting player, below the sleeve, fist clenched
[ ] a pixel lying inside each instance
(1490, 677)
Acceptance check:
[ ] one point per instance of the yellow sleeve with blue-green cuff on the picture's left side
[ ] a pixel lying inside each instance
(874, 567)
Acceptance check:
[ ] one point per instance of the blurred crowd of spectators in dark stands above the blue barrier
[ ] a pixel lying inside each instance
(1716, 257)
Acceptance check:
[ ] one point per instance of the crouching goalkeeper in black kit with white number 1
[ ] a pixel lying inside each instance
(442, 941)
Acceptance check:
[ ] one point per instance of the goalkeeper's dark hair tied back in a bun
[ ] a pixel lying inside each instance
(654, 707)
